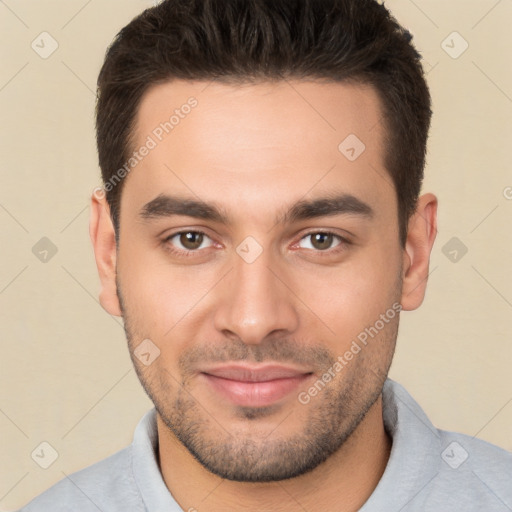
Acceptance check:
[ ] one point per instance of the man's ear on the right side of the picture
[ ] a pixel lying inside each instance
(422, 231)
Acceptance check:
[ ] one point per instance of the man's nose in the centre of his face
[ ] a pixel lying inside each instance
(256, 301)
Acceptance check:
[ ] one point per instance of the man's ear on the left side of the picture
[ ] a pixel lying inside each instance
(101, 231)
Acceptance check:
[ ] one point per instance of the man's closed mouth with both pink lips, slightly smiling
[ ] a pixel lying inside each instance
(254, 386)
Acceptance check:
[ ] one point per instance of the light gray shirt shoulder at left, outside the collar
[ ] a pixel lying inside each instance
(105, 485)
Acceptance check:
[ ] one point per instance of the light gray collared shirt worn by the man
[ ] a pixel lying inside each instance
(429, 470)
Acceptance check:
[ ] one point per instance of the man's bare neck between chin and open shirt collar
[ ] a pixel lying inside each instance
(343, 482)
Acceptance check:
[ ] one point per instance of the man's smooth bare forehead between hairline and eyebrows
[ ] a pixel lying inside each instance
(260, 141)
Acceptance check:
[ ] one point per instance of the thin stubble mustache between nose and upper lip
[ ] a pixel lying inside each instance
(315, 357)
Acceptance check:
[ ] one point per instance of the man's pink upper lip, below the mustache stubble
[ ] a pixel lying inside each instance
(261, 373)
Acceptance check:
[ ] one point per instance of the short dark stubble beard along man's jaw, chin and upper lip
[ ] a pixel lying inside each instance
(334, 414)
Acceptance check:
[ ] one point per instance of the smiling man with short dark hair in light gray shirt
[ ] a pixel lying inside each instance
(260, 230)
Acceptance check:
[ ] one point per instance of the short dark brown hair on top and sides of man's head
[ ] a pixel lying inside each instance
(244, 41)
